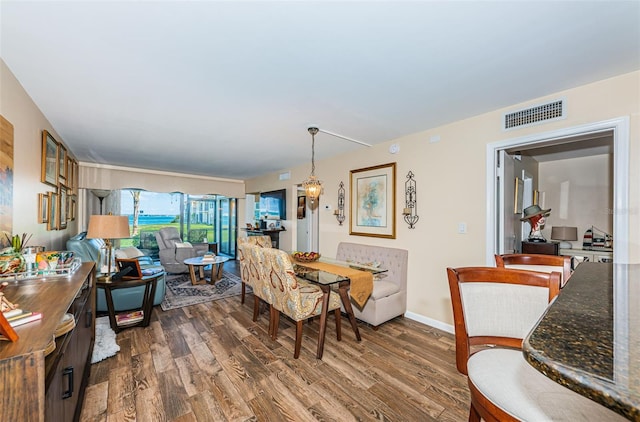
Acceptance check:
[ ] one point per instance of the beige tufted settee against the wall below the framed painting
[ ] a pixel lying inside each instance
(389, 297)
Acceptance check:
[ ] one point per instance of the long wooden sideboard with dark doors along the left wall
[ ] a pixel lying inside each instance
(35, 387)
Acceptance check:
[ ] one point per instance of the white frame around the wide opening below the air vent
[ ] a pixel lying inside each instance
(620, 128)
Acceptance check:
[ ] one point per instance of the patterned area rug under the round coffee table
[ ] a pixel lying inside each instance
(180, 292)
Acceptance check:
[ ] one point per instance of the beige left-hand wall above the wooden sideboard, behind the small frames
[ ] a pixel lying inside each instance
(28, 123)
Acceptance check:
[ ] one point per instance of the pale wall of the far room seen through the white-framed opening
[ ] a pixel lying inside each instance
(585, 183)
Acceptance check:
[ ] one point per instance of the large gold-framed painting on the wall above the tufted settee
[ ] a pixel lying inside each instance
(373, 199)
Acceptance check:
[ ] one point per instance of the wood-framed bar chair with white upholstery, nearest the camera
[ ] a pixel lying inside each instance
(499, 307)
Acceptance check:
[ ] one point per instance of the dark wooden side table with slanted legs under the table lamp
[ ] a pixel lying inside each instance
(149, 283)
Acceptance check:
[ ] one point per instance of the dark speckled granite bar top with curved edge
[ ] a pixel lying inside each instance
(589, 338)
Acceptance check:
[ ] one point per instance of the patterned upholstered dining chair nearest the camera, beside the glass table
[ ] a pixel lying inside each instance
(296, 298)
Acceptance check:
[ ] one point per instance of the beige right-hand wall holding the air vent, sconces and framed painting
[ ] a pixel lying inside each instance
(451, 187)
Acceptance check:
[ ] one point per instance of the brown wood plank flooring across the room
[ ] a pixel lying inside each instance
(211, 362)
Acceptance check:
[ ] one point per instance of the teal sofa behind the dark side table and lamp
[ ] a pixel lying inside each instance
(123, 299)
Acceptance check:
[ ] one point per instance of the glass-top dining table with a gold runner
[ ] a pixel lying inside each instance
(329, 273)
